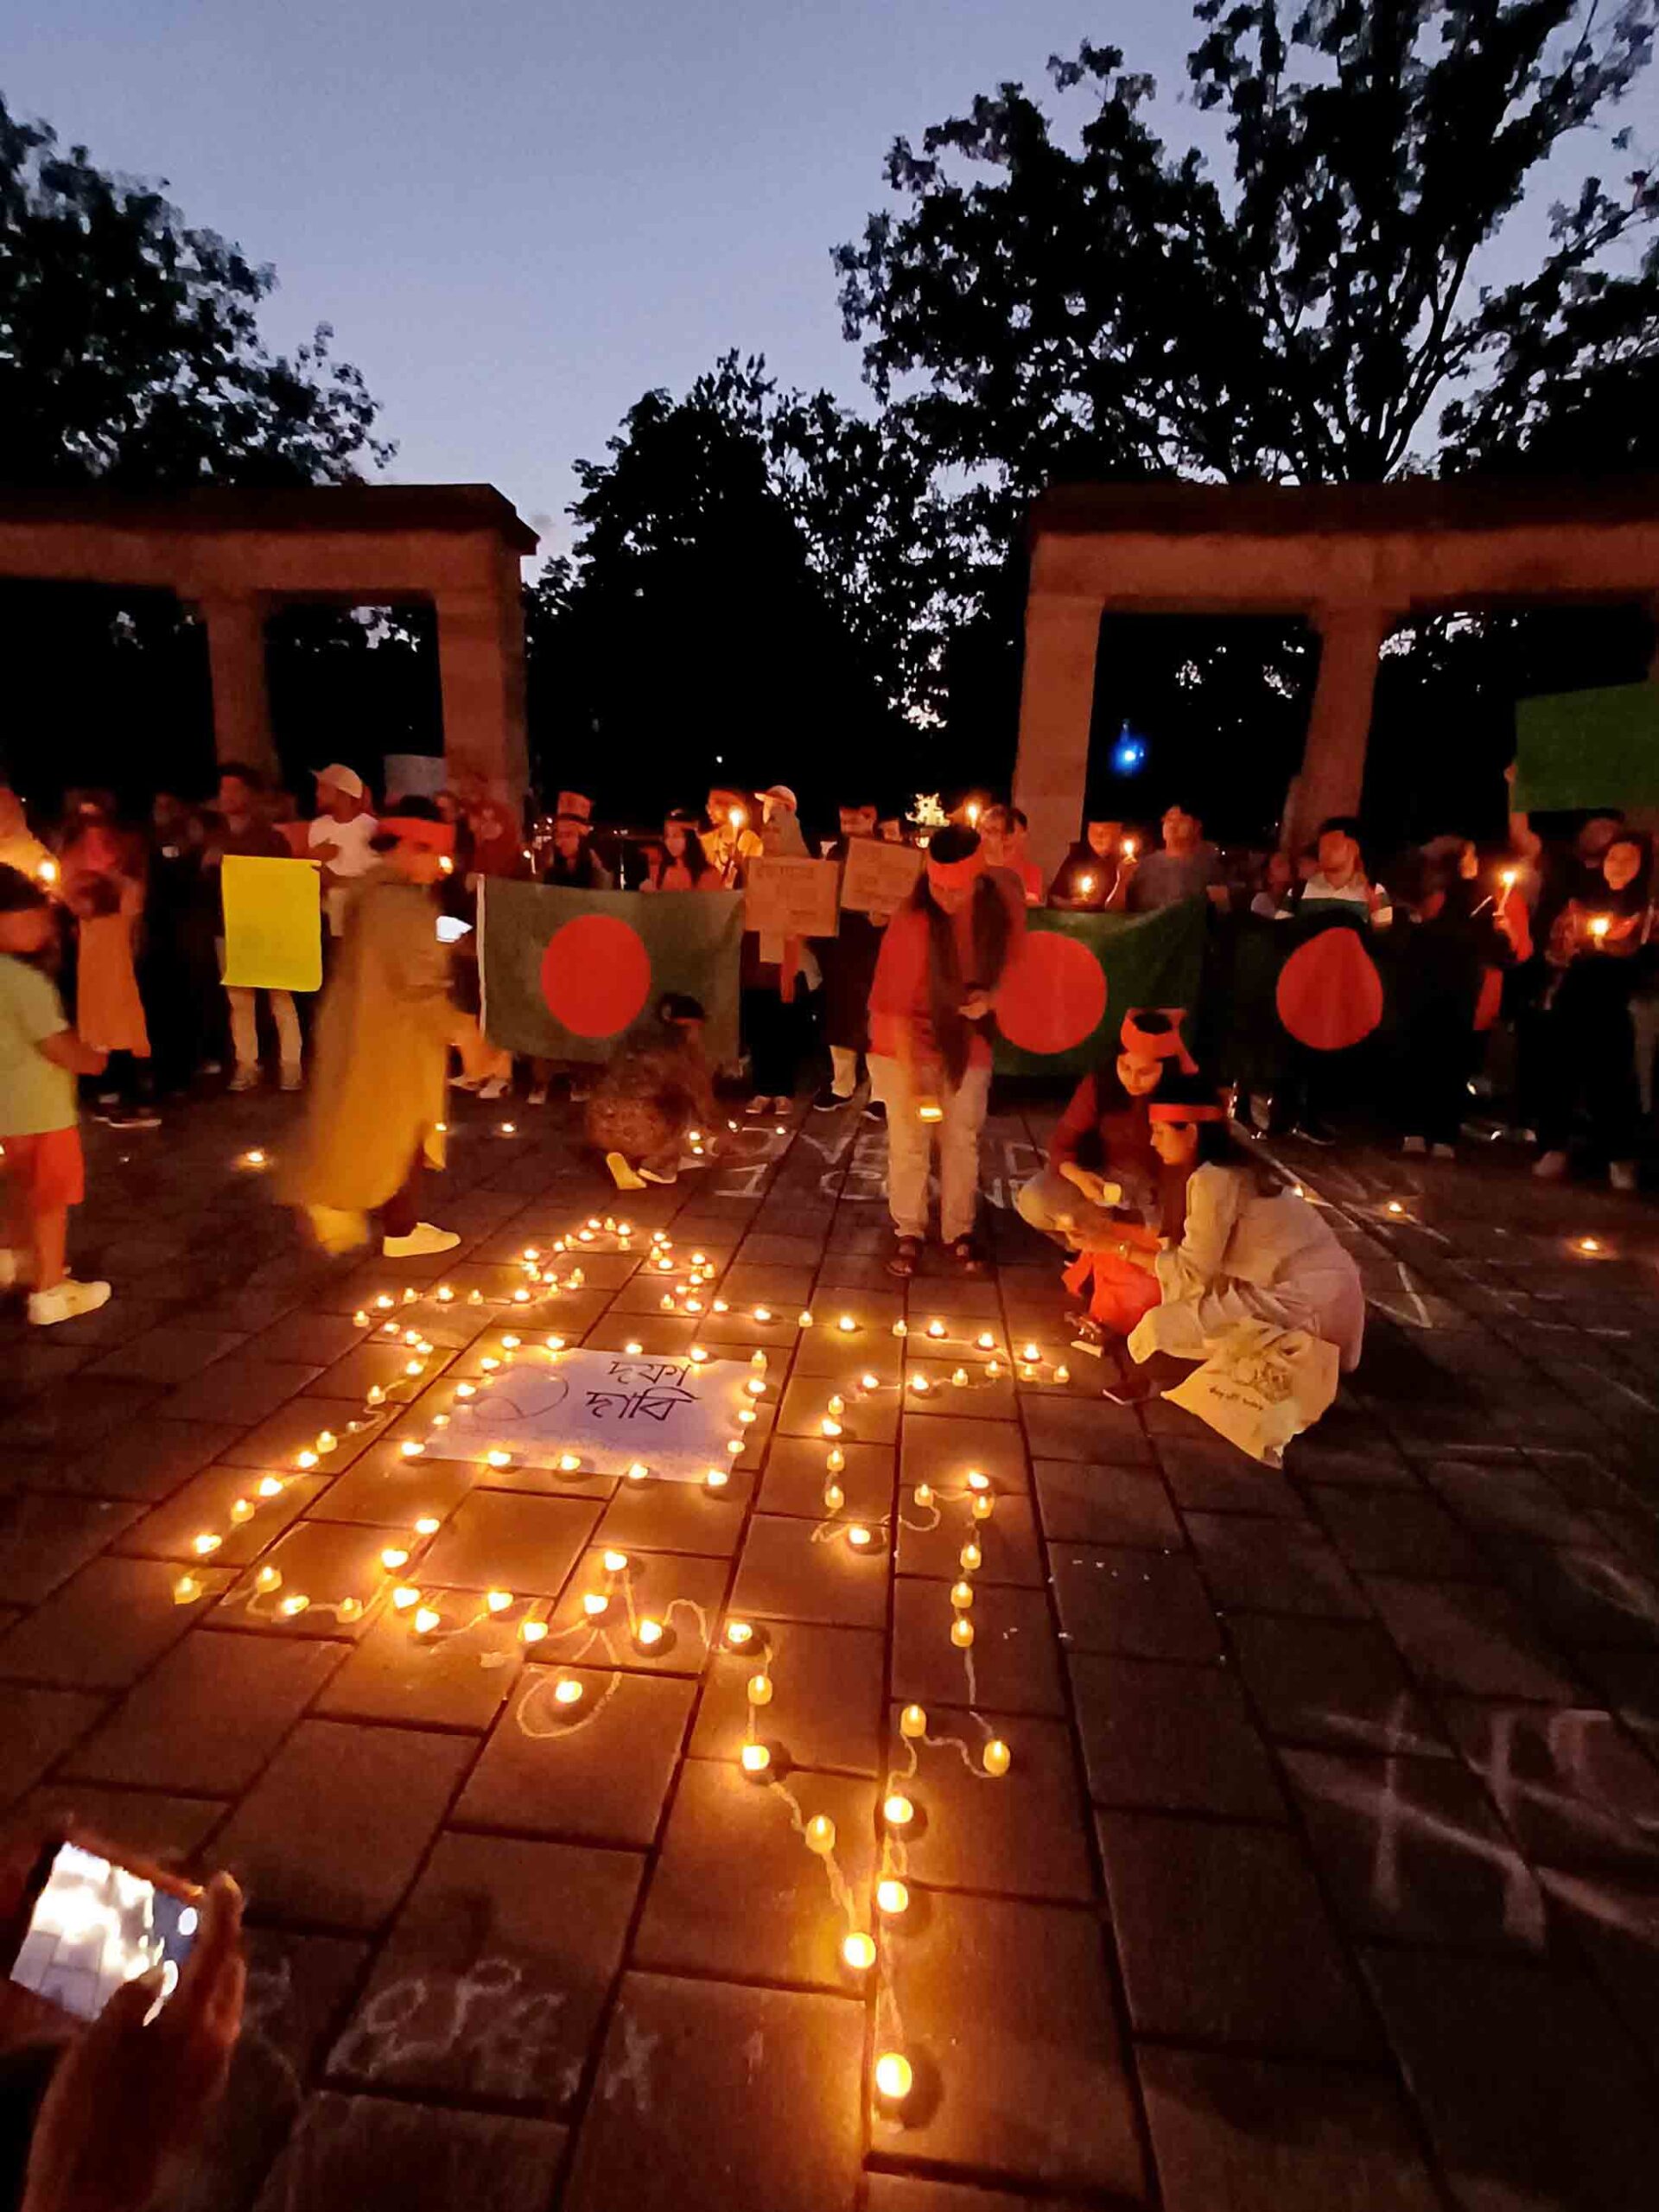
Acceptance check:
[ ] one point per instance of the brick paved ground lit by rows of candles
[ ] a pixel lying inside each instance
(1328, 1866)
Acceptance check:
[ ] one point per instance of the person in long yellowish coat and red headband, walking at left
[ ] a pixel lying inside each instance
(382, 1052)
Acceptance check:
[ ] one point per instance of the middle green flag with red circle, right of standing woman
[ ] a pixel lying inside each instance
(1078, 974)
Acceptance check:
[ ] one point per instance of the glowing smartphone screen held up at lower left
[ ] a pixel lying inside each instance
(98, 1926)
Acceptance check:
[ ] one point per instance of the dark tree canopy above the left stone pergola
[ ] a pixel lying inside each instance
(132, 353)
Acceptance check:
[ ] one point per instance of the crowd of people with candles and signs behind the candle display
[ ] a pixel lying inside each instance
(1527, 974)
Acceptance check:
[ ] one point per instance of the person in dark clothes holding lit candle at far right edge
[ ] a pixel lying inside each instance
(1605, 948)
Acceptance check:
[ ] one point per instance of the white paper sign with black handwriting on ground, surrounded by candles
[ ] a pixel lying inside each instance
(612, 1408)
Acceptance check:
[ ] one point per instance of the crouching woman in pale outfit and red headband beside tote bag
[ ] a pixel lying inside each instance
(1238, 1253)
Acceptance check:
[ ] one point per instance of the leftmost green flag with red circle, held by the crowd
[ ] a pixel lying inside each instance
(567, 974)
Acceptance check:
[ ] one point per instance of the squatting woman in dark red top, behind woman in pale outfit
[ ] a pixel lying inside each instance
(1105, 1182)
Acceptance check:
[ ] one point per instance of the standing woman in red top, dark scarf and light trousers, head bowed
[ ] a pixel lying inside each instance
(930, 1039)
